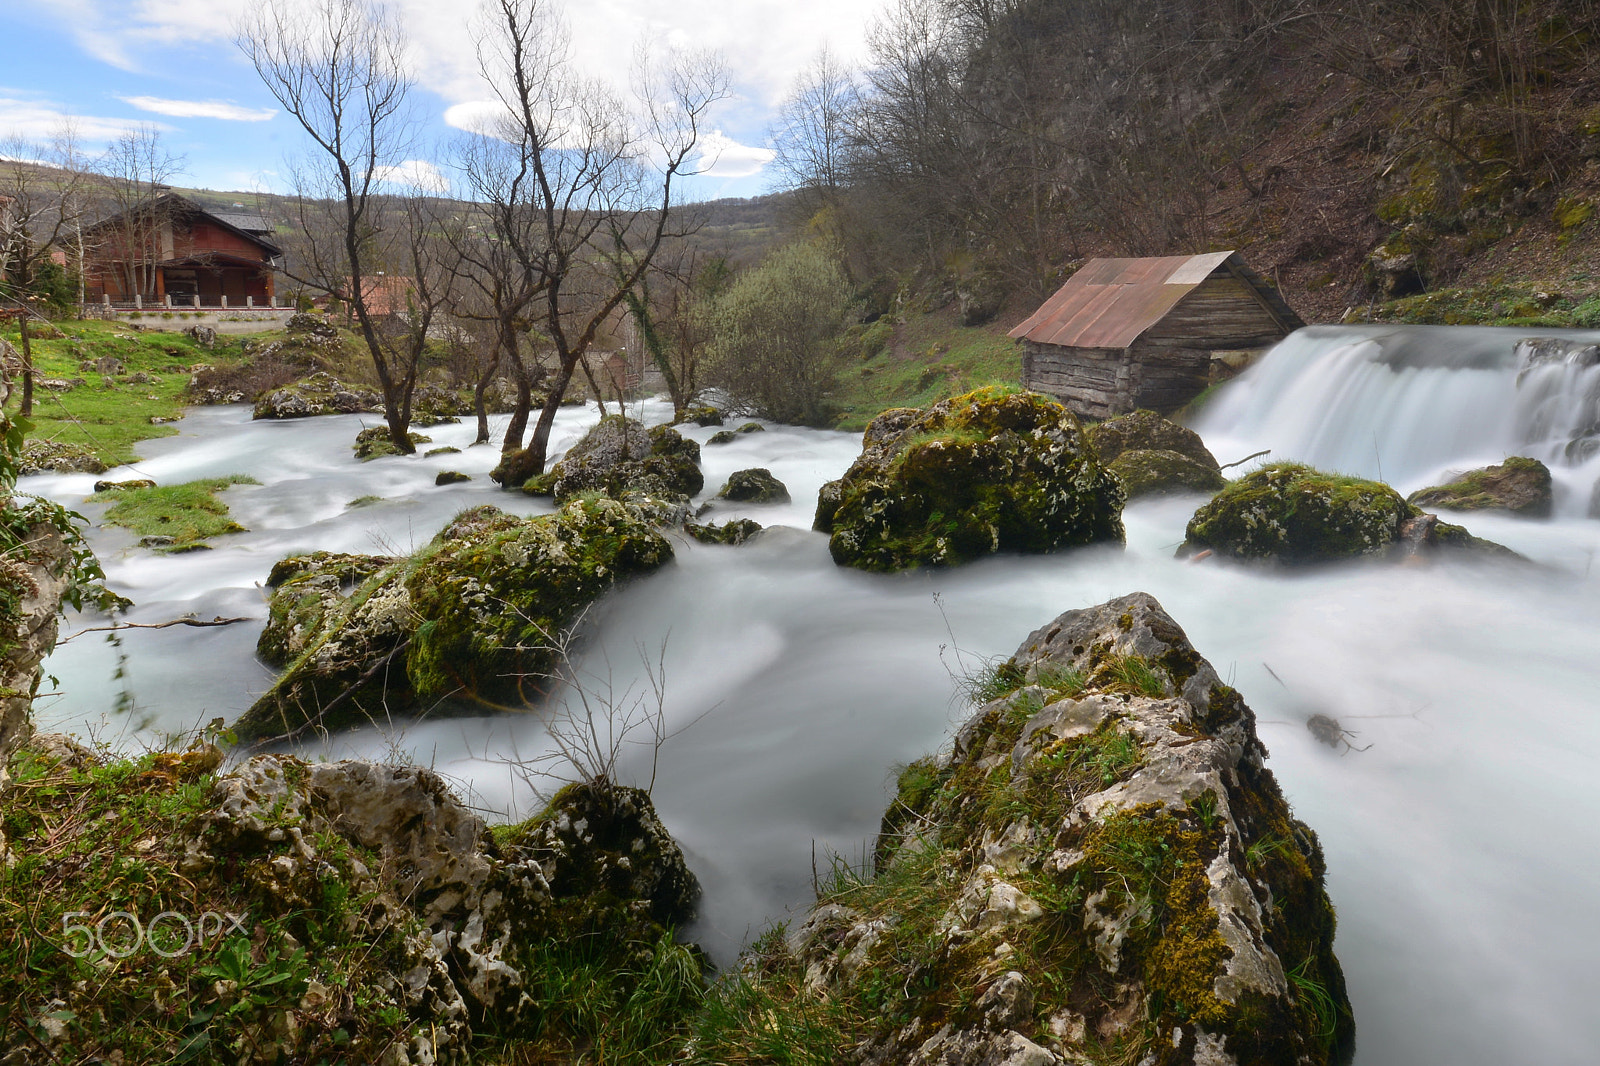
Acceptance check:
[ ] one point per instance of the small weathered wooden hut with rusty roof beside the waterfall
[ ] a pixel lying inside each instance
(1150, 334)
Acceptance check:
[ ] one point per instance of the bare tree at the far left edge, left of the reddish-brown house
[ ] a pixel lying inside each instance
(41, 214)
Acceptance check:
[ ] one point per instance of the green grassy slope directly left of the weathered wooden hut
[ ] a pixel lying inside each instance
(927, 359)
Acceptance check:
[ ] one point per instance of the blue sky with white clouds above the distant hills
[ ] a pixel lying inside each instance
(172, 65)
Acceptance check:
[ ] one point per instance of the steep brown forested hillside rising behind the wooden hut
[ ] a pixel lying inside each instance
(1356, 150)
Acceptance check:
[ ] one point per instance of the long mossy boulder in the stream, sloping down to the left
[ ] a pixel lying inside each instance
(474, 617)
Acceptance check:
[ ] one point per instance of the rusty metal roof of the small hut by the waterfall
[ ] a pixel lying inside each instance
(1111, 303)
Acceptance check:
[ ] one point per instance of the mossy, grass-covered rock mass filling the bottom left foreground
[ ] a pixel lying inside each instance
(343, 912)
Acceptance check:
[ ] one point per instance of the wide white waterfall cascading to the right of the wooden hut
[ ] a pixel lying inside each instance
(1415, 406)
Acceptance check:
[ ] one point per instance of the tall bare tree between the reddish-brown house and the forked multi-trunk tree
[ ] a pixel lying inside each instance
(340, 71)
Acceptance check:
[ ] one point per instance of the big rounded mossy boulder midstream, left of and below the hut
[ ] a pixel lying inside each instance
(991, 471)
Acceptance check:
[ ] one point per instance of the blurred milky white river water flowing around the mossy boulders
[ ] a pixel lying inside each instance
(1463, 844)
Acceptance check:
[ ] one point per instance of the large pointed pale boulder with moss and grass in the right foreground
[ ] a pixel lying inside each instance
(1102, 862)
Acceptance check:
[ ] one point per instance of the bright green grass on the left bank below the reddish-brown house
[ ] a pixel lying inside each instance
(111, 419)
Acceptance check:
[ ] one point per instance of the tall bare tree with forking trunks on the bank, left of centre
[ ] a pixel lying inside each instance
(578, 188)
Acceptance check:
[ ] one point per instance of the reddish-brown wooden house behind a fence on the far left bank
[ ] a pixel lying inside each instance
(175, 249)
